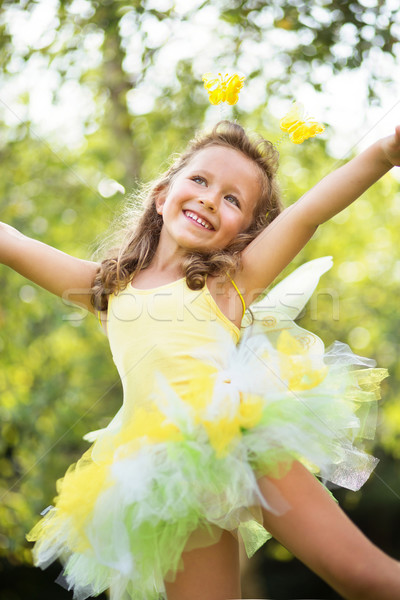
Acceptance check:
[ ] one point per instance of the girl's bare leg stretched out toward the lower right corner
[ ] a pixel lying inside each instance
(319, 533)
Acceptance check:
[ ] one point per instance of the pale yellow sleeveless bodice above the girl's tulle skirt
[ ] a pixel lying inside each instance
(160, 331)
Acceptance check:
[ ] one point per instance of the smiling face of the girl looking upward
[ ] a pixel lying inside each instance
(210, 200)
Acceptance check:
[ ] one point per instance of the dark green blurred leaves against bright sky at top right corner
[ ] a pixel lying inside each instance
(335, 33)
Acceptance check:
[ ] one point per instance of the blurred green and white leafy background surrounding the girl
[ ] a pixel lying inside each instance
(94, 97)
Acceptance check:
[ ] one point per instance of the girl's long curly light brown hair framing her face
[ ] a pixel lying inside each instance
(141, 235)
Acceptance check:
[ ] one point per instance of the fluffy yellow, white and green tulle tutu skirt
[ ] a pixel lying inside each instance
(182, 471)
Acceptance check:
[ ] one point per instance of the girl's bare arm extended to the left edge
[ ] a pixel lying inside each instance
(68, 277)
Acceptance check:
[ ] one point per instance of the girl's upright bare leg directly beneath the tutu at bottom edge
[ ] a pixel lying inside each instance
(210, 573)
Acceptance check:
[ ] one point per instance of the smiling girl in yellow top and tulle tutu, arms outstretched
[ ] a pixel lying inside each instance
(215, 440)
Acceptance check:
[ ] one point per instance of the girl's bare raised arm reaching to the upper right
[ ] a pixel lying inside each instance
(277, 245)
